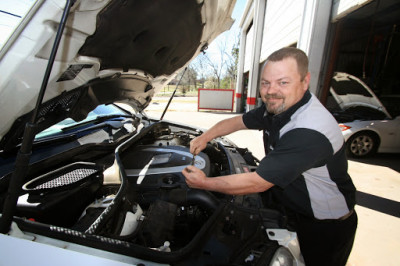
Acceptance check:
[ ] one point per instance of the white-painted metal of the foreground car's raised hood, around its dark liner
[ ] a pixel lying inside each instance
(29, 48)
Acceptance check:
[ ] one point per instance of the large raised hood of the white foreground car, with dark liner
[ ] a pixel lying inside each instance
(110, 51)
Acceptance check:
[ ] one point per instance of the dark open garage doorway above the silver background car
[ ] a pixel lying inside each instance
(366, 43)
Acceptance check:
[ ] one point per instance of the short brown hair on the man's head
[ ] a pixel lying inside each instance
(295, 53)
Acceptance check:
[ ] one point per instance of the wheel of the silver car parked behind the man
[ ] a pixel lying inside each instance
(362, 144)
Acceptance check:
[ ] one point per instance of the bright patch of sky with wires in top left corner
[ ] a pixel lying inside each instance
(11, 15)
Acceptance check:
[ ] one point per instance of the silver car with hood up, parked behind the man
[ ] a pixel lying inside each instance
(366, 124)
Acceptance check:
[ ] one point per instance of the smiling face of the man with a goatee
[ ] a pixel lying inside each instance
(282, 85)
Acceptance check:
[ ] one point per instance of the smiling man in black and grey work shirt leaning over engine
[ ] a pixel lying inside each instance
(305, 160)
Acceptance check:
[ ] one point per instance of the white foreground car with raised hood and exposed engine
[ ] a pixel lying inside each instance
(85, 182)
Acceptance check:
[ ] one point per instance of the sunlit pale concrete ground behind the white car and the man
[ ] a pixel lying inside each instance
(377, 180)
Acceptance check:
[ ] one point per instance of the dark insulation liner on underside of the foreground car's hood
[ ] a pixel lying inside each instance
(167, 33)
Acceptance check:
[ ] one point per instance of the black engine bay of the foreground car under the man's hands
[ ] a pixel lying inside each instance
(141, 199)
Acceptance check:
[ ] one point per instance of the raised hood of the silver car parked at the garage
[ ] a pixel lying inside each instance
(349, 91)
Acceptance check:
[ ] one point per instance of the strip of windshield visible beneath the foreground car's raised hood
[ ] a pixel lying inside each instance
(100, 111)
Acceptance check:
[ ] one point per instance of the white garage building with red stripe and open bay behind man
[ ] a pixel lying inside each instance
(359, 37)
